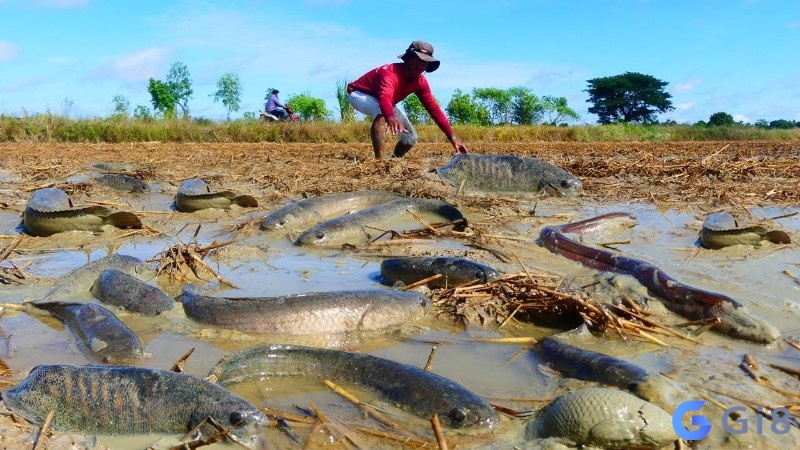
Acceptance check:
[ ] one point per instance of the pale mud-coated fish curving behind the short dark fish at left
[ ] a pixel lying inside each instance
(77, 283)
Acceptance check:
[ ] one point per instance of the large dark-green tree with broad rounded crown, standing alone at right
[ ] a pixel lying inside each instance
(630, 97)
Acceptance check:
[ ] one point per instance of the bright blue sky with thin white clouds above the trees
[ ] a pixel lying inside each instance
(74, 56)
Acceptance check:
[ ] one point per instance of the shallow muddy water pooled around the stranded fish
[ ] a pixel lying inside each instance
(260, 264)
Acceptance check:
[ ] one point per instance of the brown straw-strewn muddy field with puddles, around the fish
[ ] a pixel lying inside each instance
(670, 187)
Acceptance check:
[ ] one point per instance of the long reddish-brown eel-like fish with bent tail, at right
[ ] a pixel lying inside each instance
(736, 320)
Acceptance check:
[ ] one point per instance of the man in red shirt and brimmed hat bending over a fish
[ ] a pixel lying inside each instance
(378, 92)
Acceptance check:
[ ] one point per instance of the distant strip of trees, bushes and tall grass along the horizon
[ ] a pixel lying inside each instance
(626, 105)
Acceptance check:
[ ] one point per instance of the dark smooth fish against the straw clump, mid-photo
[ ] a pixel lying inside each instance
(455, 271)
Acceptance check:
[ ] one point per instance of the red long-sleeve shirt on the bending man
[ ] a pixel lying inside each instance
(390, 85)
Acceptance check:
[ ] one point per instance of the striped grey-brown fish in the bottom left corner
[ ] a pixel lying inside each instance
(128, 400)
